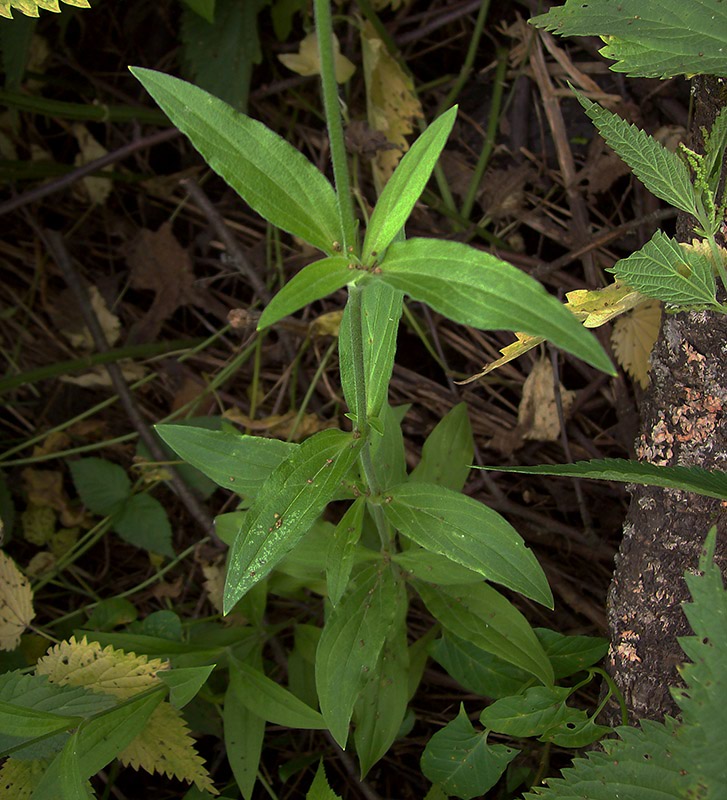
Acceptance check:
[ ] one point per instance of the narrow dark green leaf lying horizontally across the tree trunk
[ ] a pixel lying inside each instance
(686, 479)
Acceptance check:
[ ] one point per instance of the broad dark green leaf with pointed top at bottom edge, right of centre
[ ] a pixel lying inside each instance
(460, 761)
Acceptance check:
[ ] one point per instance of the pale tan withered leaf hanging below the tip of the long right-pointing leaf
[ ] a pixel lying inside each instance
(538, 414)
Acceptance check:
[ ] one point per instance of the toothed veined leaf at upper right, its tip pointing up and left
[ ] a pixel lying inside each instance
(663, 173)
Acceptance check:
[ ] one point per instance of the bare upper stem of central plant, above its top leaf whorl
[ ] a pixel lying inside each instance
(324, 30)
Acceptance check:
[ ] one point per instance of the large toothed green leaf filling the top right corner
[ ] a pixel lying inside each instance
(648, 38)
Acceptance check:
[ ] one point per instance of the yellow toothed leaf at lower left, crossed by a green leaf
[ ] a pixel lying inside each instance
(165, 744)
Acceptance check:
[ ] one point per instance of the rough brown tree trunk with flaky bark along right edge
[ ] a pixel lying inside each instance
(683, 421)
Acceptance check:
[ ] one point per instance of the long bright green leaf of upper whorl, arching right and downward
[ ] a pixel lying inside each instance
(475, 288)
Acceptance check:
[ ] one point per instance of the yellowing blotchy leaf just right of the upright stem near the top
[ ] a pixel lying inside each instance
(391, 103)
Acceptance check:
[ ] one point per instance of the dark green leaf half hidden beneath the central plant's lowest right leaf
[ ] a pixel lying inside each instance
(477, 670)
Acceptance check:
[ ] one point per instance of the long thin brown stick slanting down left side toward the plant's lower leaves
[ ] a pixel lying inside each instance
(57, 248)
